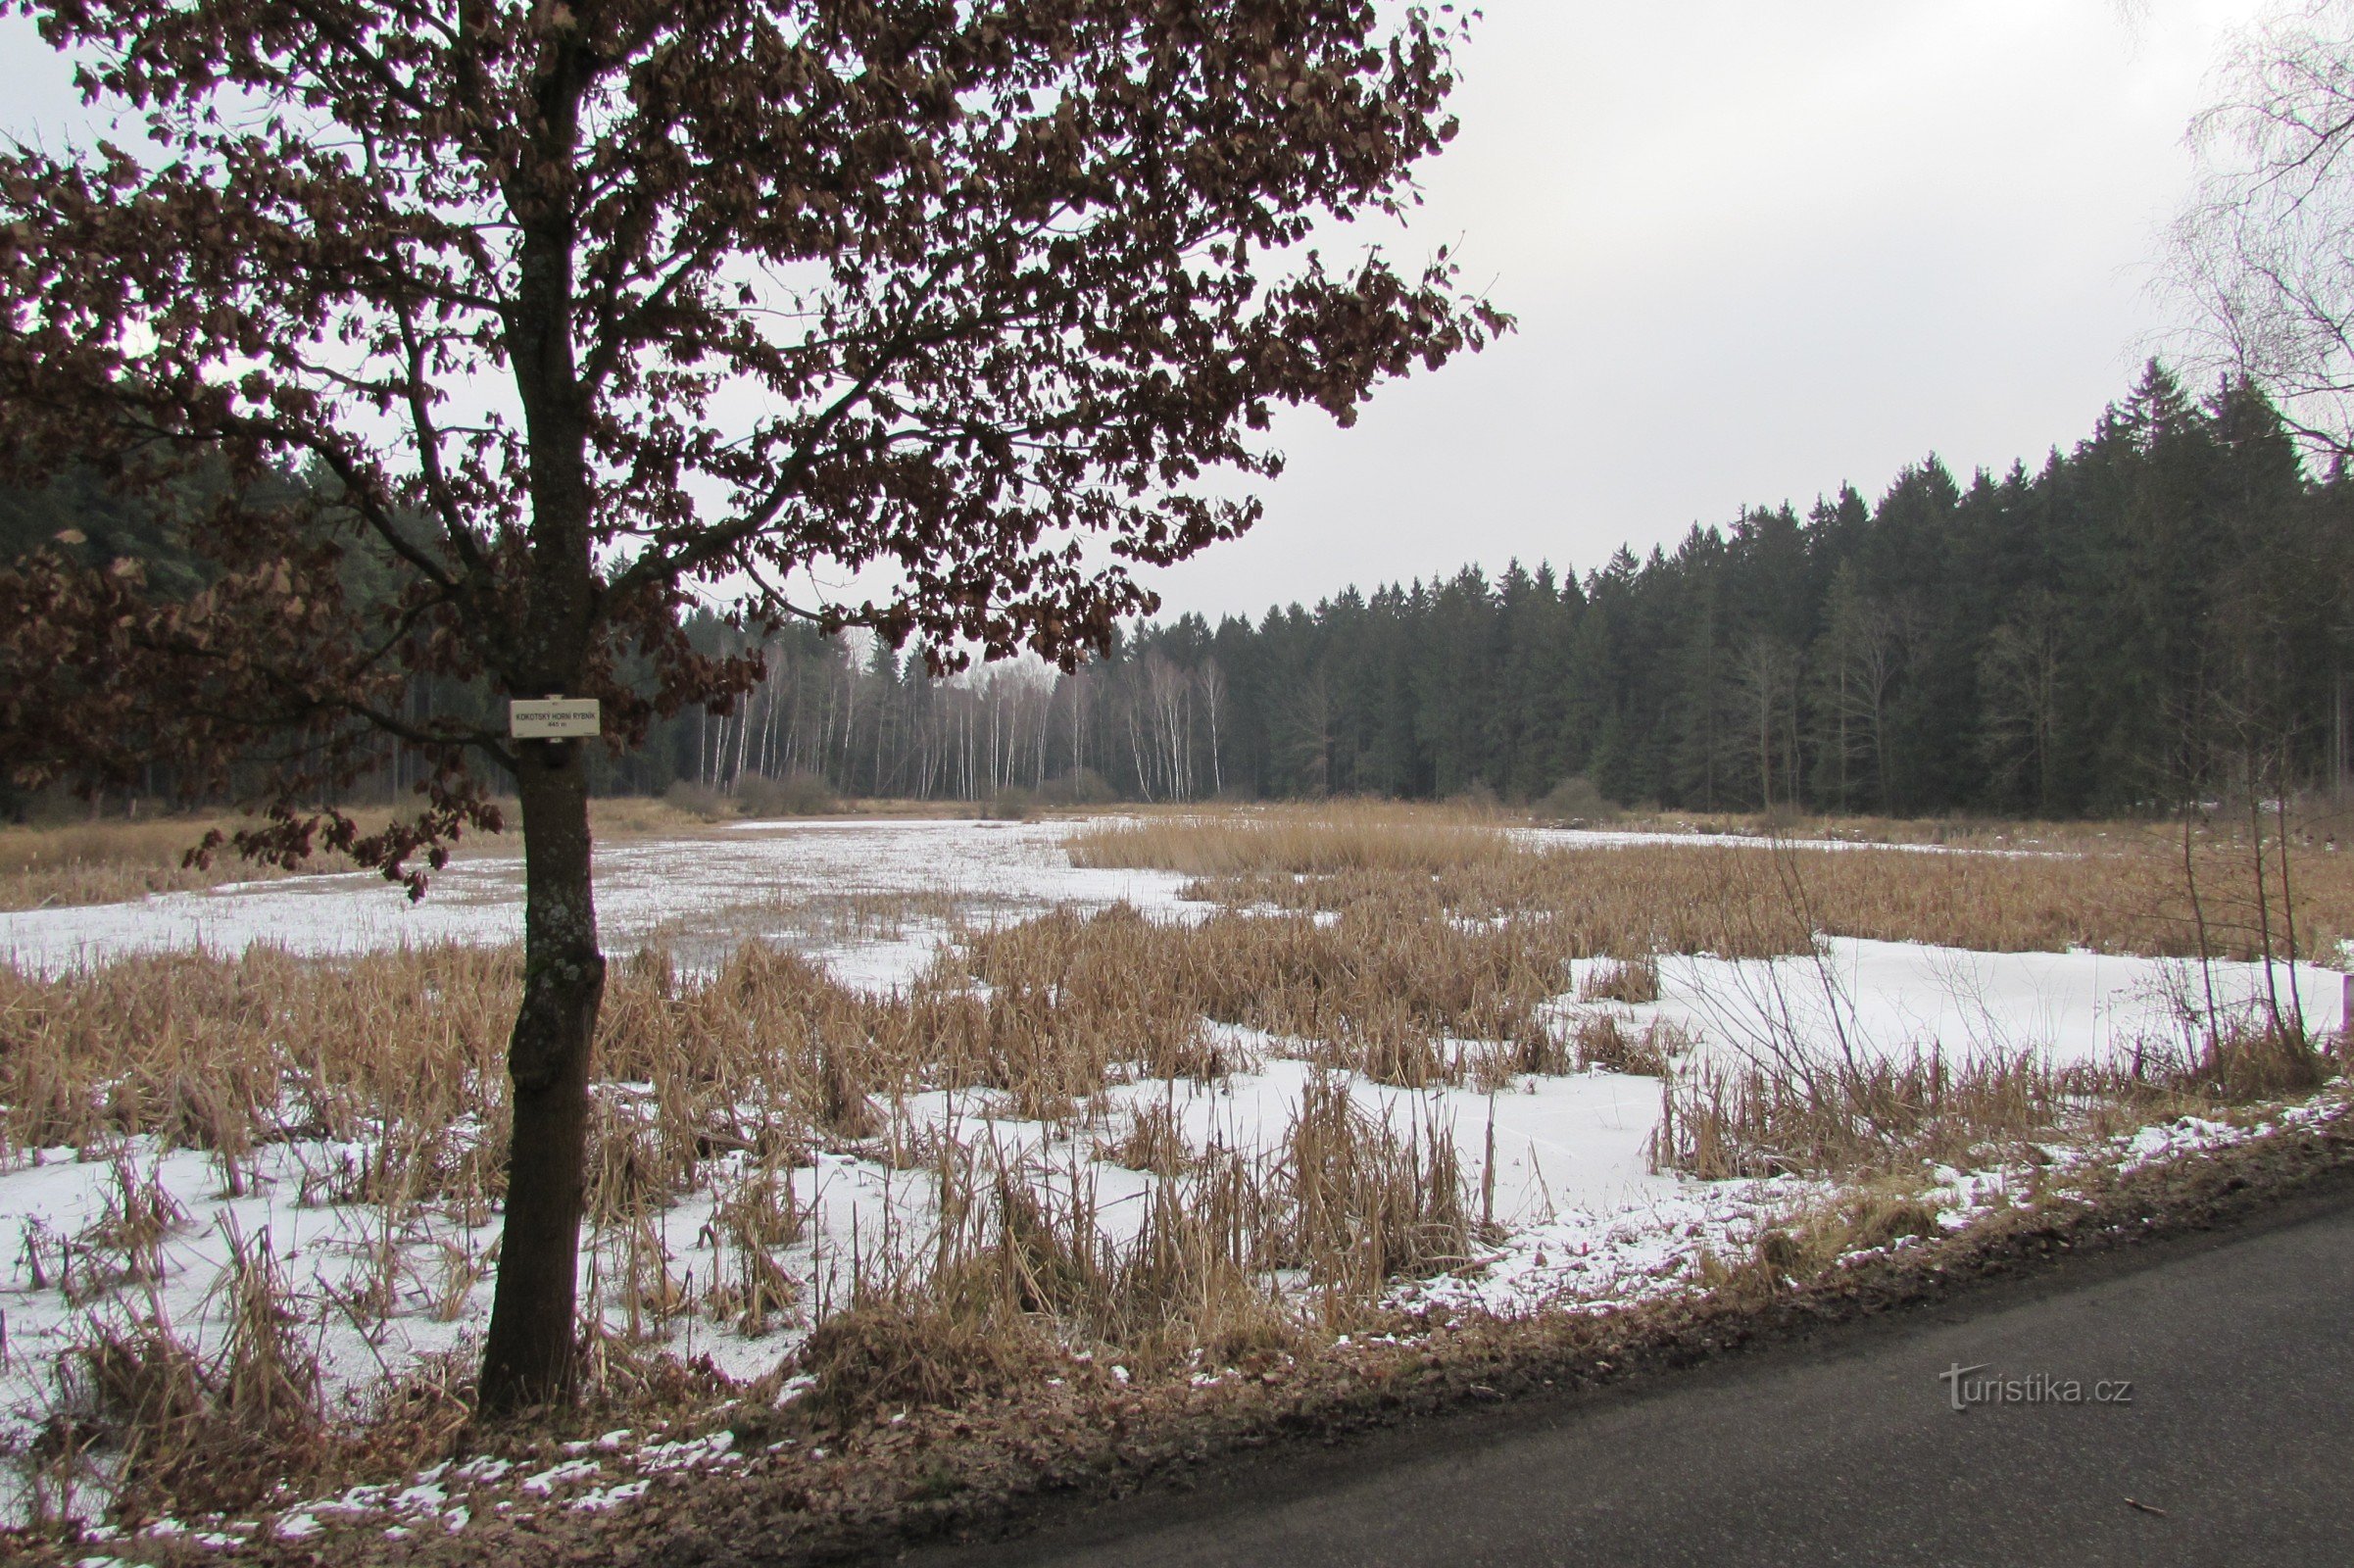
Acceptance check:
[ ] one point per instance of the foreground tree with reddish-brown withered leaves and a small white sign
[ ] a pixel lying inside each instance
(510, 333)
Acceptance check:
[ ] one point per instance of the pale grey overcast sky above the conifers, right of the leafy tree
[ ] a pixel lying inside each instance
(1755, 248)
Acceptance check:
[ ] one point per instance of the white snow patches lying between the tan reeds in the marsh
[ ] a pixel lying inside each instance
(1590, 1221)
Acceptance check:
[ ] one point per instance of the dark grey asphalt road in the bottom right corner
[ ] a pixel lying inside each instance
(2235, 1442)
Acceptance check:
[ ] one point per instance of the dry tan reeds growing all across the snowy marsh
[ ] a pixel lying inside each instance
(1407, 948)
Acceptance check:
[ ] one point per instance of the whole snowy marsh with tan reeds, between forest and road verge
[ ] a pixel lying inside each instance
(1159, 1091)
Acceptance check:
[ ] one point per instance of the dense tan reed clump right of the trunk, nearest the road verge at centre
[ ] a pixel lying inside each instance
(1020, 1265)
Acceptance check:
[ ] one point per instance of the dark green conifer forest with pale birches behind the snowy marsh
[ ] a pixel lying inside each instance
(2157, 616)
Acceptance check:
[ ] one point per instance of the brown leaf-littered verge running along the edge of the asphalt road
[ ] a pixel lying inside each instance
(1051, 1461)
